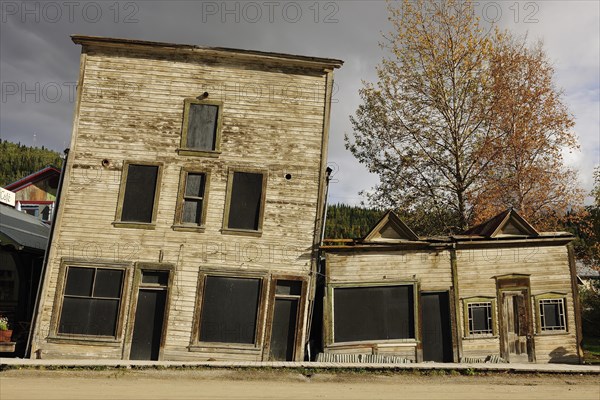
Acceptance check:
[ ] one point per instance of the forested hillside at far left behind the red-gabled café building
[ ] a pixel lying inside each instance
(18, 160)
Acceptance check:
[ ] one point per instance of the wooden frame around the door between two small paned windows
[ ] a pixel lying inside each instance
(514, 283)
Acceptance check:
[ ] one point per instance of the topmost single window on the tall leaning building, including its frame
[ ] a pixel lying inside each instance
(201, 127)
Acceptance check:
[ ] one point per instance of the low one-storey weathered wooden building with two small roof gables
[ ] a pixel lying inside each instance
(501, 291)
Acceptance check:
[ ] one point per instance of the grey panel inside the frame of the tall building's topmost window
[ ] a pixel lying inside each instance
(202, 127)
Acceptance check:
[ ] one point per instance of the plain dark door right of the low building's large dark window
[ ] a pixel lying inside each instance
(436, 332)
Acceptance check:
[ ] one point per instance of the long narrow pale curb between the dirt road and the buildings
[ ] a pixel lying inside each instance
(15, 363)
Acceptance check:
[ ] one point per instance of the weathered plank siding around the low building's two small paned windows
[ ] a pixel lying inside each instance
(548, 267)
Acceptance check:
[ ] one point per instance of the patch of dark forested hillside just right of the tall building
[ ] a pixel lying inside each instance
(349, 222)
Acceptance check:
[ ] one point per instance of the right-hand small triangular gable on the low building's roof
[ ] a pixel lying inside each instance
(507, 223)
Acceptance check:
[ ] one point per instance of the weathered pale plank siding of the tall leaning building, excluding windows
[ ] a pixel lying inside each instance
(130, 109)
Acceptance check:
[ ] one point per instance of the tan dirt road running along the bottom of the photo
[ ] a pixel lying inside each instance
(274, 384)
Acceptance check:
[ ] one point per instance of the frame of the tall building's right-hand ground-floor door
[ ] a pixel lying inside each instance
(301, 317)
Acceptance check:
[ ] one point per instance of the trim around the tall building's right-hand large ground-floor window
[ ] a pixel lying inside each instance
(197, 345)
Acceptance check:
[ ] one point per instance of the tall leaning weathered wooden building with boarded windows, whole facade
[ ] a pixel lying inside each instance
(191, 206)
